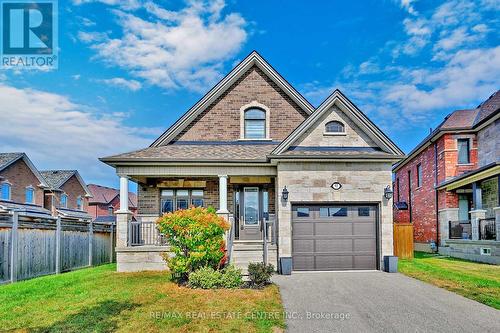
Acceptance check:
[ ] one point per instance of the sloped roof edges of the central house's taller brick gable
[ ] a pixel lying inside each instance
(253, 59)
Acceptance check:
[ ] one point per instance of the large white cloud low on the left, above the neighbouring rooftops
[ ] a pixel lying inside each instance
(57, 133)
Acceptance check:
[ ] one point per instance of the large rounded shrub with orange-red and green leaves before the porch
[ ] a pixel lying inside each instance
(196, 239)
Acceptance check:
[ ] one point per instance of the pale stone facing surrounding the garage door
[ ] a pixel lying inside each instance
(310, 182)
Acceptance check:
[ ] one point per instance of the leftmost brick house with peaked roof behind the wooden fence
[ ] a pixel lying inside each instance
(20, 181)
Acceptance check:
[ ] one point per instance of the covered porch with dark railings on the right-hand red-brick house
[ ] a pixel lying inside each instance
(470, 222)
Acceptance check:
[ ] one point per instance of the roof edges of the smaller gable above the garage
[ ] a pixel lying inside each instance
(387, 147)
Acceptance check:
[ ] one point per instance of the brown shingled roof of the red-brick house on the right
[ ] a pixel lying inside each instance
(468, 119)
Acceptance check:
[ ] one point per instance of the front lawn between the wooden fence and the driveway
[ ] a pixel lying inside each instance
(101, 300)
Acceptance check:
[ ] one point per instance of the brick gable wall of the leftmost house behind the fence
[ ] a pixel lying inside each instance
(19, 175)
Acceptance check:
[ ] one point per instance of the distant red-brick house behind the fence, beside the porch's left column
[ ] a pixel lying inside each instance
(106, 200)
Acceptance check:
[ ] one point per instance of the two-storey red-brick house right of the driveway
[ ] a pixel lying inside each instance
(448, 186)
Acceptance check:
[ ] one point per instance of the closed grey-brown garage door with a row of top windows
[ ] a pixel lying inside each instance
(334, 237)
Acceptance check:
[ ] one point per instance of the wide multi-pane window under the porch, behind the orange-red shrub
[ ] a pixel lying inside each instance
(172, 200)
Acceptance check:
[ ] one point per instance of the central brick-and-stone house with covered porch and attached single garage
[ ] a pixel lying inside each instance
(258, 152)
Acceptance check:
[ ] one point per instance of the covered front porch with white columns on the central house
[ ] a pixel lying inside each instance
(247, 202)
